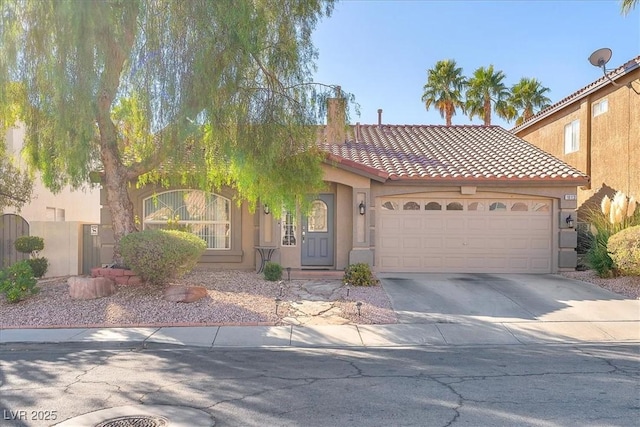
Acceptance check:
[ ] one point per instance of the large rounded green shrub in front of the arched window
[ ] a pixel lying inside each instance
(160, 255)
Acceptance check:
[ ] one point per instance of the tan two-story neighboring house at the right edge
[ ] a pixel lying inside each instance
(596, 130)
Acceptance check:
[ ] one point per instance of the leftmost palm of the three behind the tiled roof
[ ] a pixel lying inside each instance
(443, 89)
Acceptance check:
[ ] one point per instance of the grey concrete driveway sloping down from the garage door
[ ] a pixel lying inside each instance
(461, 298)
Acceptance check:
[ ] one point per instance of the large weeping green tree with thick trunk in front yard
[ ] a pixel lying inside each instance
(198, 93)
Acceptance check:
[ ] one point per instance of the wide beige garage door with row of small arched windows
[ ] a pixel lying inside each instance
(492, 235)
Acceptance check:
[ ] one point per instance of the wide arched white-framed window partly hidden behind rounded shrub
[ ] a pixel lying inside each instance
(207, 215)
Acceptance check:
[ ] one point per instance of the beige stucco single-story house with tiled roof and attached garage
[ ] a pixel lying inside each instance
(401, 198)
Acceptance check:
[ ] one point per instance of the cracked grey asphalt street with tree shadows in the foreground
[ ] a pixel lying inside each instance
(525, 385)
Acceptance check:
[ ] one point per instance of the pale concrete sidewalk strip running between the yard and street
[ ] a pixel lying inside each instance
(331, 336)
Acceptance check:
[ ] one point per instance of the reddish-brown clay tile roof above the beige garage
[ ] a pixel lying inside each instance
(449, 153)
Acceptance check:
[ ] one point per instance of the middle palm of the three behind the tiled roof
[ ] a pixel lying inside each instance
(486, 90)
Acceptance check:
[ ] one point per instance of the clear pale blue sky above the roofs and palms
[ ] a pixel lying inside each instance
(380, 51)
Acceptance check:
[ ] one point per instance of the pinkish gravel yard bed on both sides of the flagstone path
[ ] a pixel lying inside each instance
(234, 297)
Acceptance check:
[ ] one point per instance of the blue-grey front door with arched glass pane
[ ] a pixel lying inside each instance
(317, 233)
